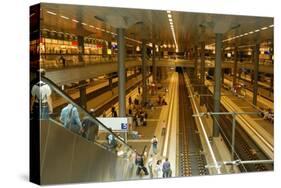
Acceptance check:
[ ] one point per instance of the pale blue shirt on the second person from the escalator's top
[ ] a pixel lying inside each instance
(74, 116)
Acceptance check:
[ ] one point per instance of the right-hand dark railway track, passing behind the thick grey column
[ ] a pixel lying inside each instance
(245, 148)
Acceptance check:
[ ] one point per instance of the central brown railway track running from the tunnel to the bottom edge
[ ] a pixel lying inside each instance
(191, 160)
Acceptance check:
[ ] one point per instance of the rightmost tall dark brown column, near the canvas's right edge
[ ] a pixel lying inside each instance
(256, 73)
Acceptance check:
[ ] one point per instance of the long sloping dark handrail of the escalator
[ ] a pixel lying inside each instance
(68, 98)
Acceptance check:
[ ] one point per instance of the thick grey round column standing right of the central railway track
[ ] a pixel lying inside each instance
(217, 91)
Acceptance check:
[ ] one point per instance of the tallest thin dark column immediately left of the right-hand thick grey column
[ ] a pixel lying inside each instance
(202, 72)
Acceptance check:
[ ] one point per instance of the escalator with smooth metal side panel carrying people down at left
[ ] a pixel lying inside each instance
(67, 157)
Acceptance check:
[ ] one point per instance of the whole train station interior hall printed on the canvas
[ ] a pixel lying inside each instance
(143, 94)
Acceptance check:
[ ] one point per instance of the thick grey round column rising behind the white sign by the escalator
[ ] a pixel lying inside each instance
(121, 72)
